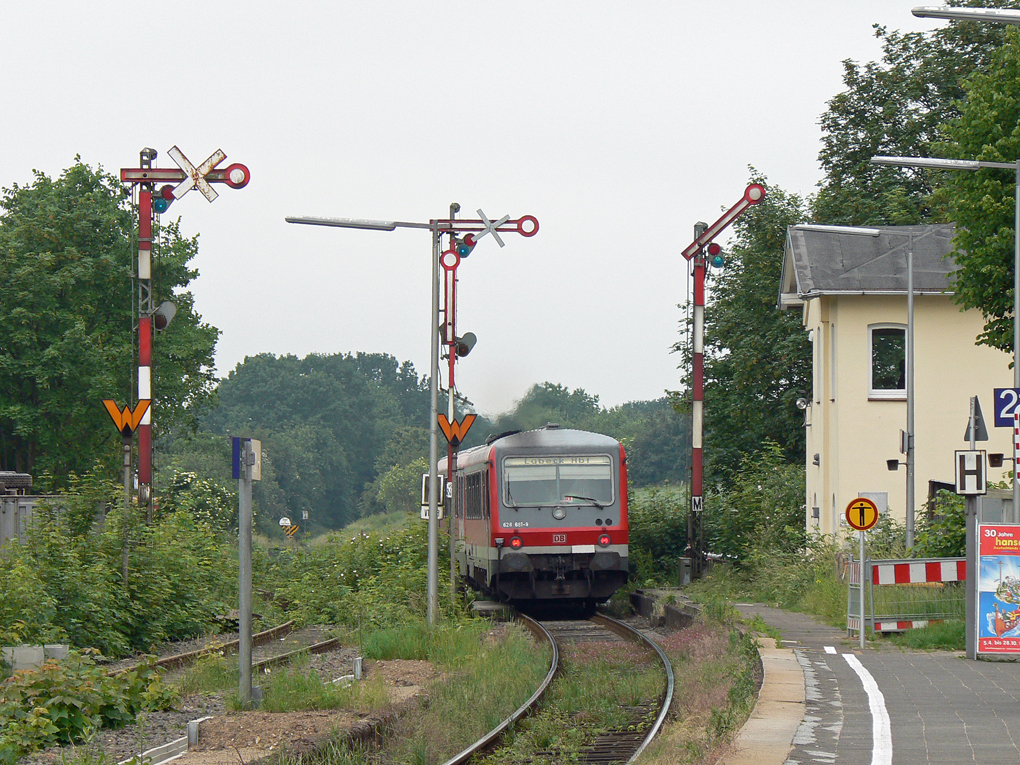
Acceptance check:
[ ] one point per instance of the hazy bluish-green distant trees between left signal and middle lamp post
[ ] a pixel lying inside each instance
(325, 422)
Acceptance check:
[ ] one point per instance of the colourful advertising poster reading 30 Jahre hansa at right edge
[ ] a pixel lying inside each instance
(999, 589)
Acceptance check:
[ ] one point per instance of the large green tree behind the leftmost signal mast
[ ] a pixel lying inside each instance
(67, 336)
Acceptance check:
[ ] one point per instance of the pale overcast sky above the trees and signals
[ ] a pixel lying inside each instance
(618, 125)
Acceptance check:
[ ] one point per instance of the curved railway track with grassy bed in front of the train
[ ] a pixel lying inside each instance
(622, 745)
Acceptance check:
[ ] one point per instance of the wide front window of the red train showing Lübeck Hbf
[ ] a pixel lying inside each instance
(558, 481)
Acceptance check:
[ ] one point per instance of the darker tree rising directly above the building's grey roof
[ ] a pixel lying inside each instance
(897, 108)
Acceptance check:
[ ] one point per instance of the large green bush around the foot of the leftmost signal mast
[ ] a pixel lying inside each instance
(180, 578)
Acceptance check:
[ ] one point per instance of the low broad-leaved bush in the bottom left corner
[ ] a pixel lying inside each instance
(67, 702)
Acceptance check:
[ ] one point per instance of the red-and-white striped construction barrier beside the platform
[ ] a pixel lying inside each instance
(906, 594)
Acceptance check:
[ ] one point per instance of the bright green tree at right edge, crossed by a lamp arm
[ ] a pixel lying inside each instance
(983, 203)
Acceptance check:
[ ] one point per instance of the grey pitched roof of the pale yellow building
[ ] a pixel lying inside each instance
(820, 263)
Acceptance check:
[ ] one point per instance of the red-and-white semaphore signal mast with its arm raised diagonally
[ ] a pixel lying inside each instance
(697, 252)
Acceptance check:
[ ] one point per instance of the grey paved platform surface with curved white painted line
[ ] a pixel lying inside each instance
(887, 705)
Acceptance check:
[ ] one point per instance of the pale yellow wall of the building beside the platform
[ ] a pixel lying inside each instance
(853, 437)
